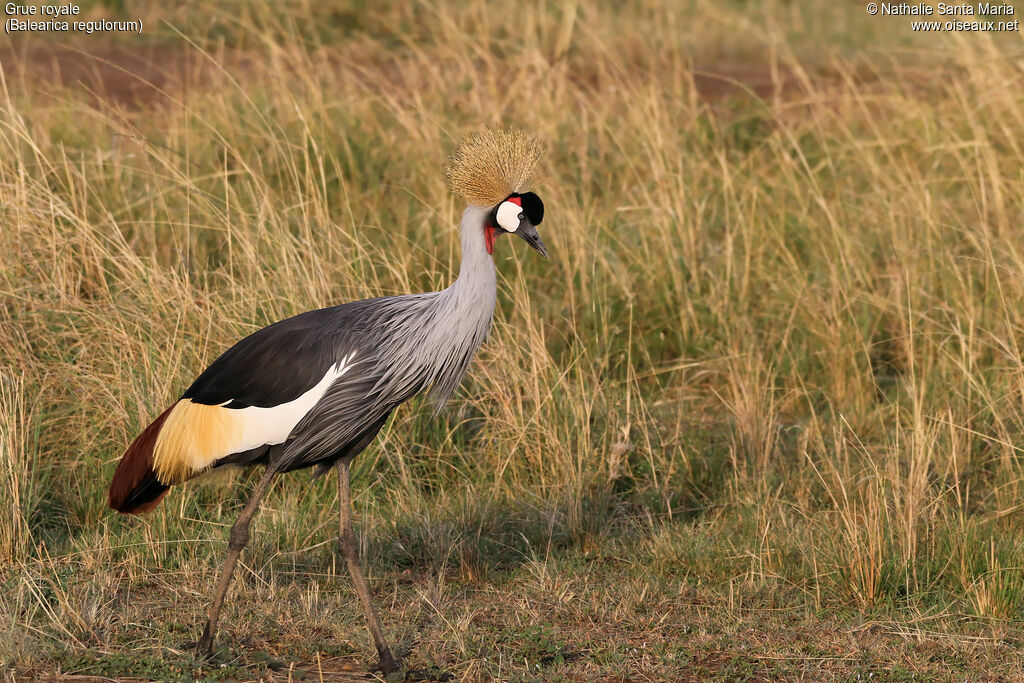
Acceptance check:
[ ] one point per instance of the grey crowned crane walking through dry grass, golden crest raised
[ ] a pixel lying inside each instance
(316, 390)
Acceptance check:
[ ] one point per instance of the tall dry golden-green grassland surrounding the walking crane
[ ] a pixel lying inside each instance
(760, 417)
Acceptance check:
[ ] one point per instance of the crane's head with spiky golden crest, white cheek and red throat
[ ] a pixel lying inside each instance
(495, 169)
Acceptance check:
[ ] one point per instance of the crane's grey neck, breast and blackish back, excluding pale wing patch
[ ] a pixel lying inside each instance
(393, 349)
